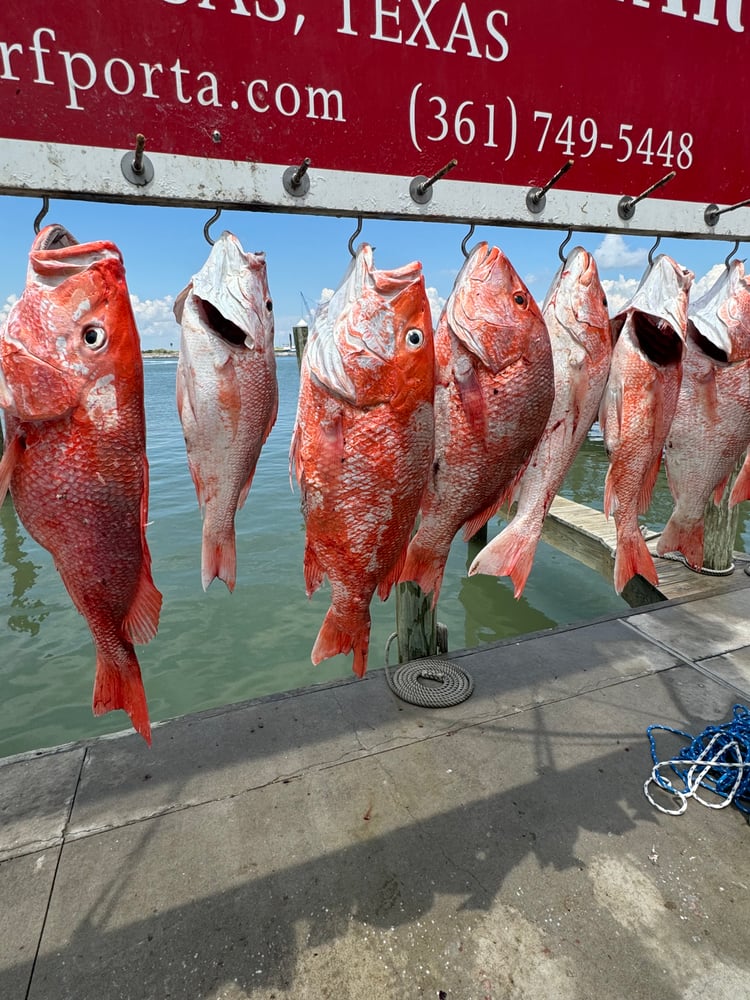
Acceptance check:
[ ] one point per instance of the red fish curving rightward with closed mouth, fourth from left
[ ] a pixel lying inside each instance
(494, 391)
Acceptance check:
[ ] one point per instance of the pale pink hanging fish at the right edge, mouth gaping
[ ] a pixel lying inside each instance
(711, 428)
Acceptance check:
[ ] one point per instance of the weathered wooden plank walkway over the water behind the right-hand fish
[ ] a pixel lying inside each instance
(588, 536)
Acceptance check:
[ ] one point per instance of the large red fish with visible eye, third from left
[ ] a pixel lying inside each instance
(363, 442)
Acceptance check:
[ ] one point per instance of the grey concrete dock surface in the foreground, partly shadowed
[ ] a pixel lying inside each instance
(339, 843)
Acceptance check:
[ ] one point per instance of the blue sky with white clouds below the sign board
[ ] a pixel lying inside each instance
(307, 255)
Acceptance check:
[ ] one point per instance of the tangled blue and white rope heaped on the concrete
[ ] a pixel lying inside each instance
(718, 759)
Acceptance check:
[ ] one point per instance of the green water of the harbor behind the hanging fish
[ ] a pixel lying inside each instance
(216, 648)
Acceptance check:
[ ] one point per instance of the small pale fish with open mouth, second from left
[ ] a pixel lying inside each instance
(227, 394)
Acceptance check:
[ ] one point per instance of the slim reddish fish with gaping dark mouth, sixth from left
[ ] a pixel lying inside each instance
(639, 403)
